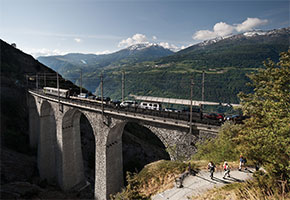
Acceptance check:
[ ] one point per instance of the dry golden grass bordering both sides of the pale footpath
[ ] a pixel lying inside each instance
(159, 176)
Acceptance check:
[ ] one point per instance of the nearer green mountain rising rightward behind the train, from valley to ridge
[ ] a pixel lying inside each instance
(225, 63)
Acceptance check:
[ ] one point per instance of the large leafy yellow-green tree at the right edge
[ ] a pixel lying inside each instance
(265, 137)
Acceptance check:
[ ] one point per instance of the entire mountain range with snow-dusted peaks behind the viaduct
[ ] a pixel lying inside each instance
(153, 70)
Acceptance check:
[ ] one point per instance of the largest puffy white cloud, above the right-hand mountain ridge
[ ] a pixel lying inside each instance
(223, 29)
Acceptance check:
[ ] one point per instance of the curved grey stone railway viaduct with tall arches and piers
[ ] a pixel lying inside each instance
(54, 124)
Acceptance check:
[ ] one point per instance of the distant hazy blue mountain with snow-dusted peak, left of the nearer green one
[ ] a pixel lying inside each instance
(69, 65)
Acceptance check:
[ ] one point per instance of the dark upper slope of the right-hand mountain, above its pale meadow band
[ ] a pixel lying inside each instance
(244, 50)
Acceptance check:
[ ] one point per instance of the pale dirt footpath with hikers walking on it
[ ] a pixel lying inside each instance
(195, 185)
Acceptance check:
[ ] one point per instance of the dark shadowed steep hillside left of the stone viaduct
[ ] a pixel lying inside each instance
(18, 163)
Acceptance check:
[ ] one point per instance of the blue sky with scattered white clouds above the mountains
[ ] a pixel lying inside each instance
(48, 27)
